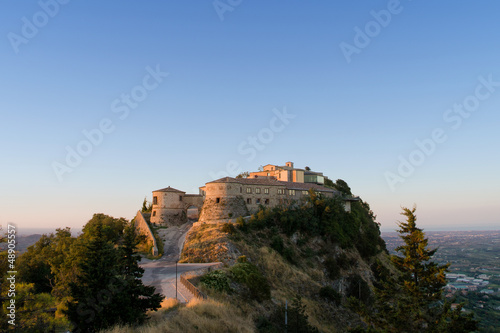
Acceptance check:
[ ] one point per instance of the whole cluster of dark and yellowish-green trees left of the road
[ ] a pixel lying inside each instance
(94, 280)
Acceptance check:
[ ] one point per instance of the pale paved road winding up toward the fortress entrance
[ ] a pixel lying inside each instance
(161, 273)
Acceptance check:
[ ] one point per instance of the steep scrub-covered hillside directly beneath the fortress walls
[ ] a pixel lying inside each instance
(313, 257)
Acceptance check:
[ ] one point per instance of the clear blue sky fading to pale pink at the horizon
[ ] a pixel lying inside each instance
(69, 68)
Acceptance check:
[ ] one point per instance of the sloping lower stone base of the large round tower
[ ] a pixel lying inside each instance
(229, 207)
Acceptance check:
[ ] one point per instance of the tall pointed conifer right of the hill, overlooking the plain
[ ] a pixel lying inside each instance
(413, 301)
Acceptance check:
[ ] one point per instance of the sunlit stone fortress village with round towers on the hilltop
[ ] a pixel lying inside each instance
(228, 198)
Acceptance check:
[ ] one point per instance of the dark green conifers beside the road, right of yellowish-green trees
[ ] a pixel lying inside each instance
(108, 288)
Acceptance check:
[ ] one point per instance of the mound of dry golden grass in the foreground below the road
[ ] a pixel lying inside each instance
(197, 316)
